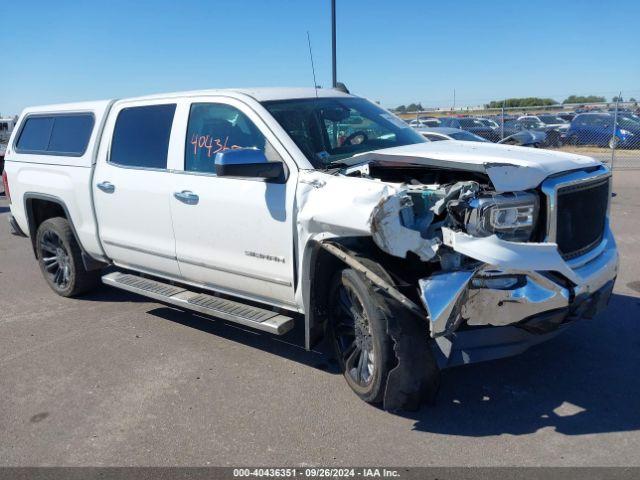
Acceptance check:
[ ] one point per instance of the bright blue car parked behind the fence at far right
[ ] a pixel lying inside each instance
(597, 129)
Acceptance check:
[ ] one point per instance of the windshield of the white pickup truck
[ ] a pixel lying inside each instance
(331, 129)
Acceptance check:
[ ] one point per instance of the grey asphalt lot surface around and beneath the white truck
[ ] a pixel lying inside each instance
(112, 379)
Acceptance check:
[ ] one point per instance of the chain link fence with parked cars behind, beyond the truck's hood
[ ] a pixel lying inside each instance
(609, 132)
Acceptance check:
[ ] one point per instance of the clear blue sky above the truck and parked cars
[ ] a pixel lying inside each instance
(392, 51)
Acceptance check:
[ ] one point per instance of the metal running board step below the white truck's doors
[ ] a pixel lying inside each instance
(236, 312)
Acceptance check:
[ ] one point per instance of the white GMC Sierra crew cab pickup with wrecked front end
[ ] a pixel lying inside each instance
(269, 207)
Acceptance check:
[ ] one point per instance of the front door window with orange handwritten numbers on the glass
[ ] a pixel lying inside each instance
(216, 127)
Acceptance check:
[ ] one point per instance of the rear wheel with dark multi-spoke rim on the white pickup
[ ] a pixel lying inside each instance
(60, 259)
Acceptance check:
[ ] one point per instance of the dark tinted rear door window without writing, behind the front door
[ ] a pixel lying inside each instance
(141, 136)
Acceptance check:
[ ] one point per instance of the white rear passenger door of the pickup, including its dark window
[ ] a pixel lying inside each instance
(132, 188)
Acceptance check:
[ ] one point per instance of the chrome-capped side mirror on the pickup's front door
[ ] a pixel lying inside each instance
(247, 163)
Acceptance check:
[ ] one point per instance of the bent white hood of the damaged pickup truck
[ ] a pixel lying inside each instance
(510, 168)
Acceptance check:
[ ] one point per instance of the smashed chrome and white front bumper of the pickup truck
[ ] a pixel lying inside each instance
(528, 288)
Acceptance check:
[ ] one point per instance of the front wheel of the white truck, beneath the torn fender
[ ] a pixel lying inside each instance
(358, 330)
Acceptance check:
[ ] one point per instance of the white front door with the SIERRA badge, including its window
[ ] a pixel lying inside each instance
(232, 234)
